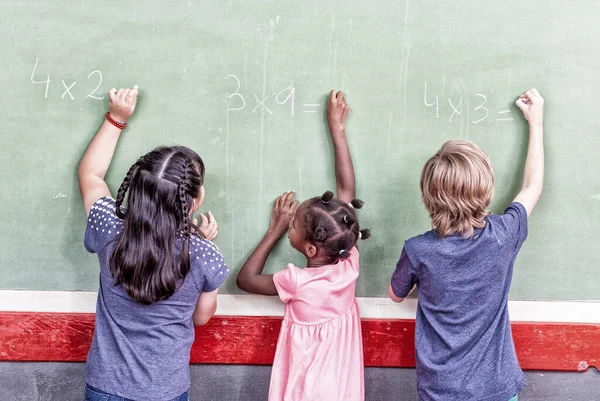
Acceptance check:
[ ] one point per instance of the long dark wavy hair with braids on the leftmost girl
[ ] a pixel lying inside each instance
(160, 188)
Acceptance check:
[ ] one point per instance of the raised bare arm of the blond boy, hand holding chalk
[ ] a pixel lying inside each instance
(531, 104)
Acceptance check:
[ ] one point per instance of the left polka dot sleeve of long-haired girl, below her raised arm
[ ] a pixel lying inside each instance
(103, 225)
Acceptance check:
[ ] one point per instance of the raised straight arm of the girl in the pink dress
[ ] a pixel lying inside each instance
(337, 110)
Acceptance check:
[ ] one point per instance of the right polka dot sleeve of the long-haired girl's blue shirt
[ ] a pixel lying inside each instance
(208, 265)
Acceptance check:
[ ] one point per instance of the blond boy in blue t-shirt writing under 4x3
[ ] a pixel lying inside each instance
(463, 269)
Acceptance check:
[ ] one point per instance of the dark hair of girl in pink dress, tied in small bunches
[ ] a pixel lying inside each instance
(331, 225)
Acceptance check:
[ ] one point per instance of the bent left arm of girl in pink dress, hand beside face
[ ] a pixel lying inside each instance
(250, 277)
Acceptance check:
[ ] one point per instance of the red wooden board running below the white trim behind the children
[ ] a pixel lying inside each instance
(66, 337)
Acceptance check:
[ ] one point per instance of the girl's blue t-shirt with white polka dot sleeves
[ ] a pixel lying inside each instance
(142, 352)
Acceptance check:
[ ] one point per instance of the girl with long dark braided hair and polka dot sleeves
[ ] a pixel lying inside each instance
(159, 271)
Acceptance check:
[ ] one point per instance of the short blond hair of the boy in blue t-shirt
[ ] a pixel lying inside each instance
(457, 186)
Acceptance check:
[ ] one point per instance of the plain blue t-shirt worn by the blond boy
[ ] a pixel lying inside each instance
(463, 339)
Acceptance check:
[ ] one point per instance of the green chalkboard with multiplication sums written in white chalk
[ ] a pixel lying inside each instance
(244, 84)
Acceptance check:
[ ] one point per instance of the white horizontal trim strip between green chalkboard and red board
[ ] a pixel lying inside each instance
(257, 305)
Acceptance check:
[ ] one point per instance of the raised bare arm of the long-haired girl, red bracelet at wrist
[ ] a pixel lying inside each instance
(99, 153)
